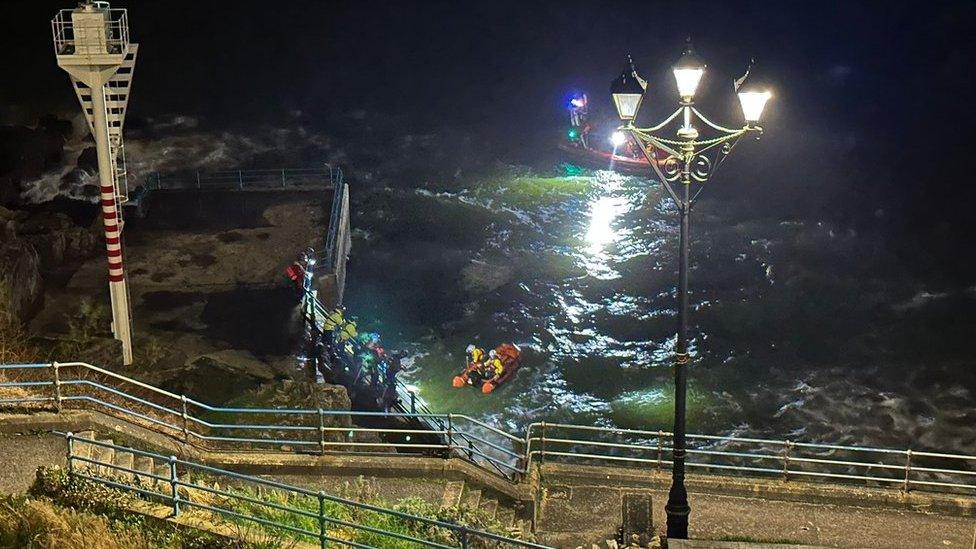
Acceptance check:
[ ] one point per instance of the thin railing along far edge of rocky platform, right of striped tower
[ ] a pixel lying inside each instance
(251, 179)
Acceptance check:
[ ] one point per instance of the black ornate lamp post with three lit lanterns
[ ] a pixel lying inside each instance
(691, 159)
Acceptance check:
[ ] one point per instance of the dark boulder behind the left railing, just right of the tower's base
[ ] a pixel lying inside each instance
(217, 377)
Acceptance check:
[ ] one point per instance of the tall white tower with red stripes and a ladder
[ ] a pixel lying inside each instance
(91, 43)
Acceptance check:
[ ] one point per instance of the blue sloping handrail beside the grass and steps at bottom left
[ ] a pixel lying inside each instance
(176, 481)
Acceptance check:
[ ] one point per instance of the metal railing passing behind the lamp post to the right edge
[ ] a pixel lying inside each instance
(785, 459)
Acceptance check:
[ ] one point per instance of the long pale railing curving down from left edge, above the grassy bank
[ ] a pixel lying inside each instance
(77, 385)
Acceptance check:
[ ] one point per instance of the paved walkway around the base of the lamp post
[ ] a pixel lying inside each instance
(578, 514)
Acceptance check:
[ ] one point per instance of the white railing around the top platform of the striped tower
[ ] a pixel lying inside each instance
(114, 33)
